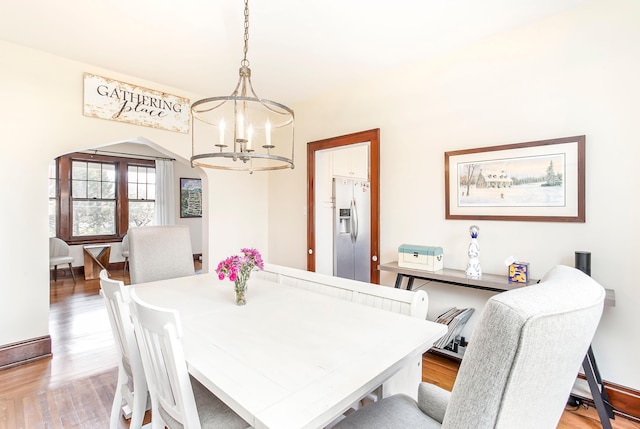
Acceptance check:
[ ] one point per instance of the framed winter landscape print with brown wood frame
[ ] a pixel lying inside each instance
(534, 181)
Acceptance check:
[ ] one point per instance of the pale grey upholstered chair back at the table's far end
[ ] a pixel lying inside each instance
(159, 253)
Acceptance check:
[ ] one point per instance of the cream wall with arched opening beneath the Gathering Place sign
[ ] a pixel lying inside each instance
(41, 118)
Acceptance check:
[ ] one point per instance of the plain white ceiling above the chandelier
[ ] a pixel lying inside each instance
(297, 48)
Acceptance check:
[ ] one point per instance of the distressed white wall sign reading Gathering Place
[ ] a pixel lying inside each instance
(119, 101)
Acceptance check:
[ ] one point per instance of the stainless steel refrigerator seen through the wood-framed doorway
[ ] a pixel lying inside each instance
(351, 229)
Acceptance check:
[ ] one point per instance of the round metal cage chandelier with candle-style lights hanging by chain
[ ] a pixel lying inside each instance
(242, 131)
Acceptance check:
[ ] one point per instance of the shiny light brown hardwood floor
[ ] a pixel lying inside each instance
(75, 388)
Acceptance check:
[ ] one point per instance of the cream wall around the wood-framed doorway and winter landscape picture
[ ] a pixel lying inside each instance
(573, 74)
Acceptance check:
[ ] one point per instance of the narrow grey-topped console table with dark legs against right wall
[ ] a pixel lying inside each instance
(496, 283)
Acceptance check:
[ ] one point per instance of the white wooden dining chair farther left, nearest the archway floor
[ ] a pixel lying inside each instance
(131, 396)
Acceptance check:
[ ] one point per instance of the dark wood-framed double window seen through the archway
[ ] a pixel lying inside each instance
(99, 197)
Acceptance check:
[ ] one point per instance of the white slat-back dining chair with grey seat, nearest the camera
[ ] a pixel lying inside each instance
(177, 400)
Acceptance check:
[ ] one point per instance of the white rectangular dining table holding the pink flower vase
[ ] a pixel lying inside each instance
(289, 358)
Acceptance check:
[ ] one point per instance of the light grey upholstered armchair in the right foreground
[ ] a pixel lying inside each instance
(519, 368)
